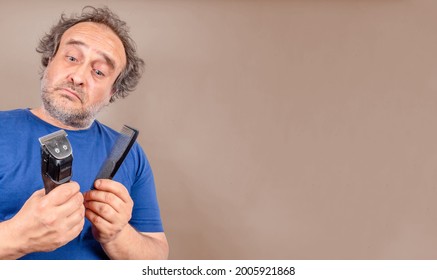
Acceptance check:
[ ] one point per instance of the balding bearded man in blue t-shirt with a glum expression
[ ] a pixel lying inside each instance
(88, 61)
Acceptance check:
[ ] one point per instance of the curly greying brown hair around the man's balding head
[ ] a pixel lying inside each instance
(129, 76)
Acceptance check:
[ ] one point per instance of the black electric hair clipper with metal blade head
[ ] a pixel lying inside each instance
(56, 159)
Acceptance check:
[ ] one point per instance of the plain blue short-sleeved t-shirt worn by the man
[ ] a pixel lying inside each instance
(20, 176)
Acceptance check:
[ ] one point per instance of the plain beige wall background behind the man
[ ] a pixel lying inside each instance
(276, 129)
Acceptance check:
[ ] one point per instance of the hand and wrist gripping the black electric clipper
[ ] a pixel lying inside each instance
(44, 223)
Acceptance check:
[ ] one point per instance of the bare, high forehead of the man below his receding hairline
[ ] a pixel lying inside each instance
(97, 38)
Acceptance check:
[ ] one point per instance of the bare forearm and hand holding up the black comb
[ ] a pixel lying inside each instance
(109, 209)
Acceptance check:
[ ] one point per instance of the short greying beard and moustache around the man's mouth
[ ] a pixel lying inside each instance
(62, 108)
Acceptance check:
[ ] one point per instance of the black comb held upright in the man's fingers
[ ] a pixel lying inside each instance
(118, 153)
